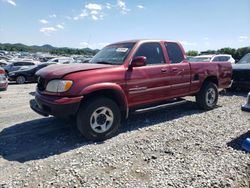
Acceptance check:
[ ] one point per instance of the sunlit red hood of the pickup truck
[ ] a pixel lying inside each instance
(60, 70)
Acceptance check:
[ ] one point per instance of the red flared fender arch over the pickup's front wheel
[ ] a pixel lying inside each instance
(107, 86)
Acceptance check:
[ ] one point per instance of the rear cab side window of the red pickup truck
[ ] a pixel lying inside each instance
(175, 53)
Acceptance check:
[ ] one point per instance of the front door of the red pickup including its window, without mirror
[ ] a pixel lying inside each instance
(147, 84)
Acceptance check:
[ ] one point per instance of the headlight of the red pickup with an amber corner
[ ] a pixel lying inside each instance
(59, 86)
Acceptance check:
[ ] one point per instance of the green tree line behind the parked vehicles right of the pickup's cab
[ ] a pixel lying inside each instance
(237, 54)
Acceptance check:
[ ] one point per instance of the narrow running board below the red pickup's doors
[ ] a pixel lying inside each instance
(166, 105)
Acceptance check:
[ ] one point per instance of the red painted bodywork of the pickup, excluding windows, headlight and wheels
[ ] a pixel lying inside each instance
(140, 85)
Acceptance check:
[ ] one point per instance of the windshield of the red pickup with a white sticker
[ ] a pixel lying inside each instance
(114, 54)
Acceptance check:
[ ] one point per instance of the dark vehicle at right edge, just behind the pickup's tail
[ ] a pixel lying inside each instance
(241, 73)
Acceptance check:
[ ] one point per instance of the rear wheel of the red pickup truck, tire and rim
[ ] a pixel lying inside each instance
(207, 97)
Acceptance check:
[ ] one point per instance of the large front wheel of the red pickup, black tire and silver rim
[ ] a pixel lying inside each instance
(86, 119)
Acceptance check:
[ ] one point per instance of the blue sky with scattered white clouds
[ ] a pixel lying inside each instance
(198, 24)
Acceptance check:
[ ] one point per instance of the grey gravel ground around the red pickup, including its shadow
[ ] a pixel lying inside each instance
(178, 147)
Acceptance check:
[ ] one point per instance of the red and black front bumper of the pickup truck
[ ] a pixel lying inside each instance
(56, 106)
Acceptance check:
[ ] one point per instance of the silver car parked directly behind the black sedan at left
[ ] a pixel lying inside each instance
(17, 65)
